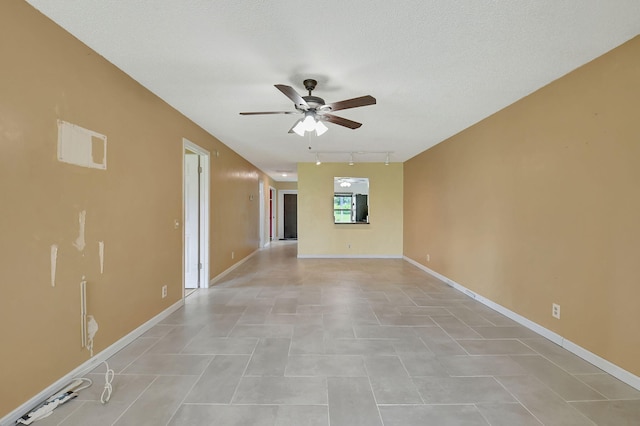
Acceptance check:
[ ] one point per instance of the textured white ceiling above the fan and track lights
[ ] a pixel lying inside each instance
(435, 66)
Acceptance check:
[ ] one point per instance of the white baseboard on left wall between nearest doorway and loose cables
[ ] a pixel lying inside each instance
(11, 418)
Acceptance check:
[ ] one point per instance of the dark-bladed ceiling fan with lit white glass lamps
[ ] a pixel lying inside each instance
(315, 110)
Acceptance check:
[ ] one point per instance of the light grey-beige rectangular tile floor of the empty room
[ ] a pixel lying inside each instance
(282, 341)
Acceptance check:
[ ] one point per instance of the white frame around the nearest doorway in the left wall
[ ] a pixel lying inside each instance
(204, 211)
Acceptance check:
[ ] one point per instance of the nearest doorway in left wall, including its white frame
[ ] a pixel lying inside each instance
(195, 213)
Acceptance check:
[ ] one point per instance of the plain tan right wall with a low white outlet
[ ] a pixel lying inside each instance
(539, 204)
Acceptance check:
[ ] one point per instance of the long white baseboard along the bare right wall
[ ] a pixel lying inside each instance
(607, 366)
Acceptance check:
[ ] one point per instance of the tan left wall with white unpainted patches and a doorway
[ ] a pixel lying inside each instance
(47, 75)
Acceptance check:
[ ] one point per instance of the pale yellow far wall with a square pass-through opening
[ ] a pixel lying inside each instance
(318, 235)
